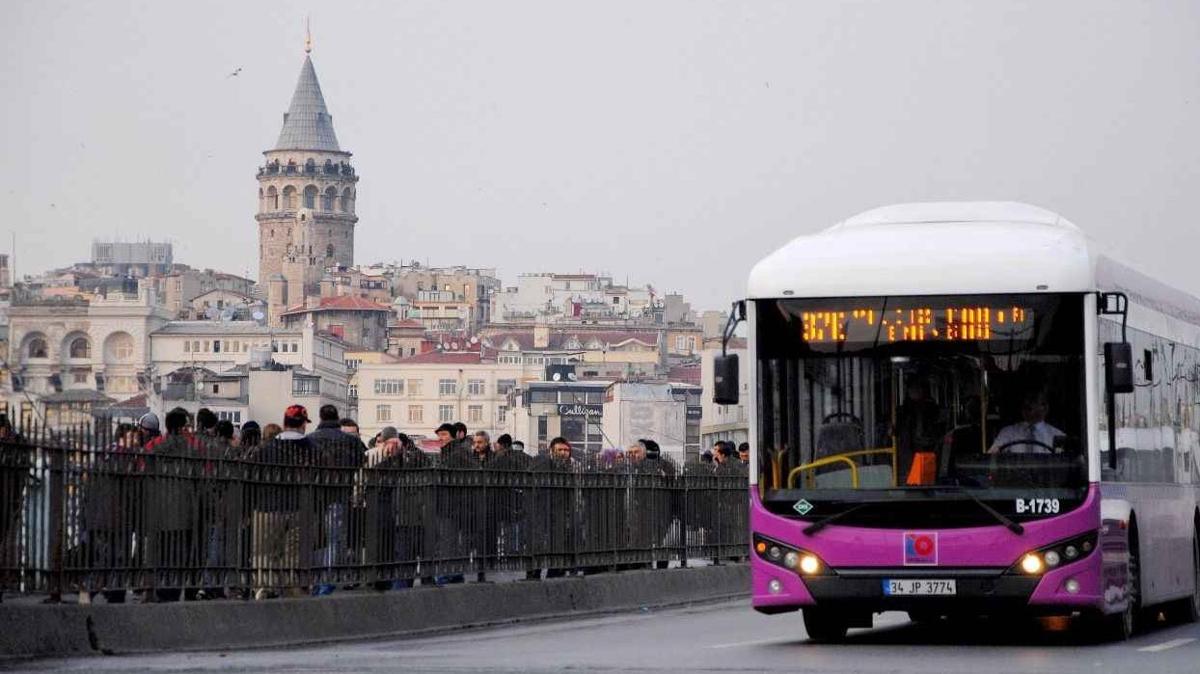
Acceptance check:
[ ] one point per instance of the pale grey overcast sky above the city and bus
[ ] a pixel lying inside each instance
(674, 143)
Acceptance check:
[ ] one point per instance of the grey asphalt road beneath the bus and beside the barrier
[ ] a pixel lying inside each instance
(727, 637)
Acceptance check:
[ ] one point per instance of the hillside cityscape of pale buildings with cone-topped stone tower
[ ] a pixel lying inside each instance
(406, 345)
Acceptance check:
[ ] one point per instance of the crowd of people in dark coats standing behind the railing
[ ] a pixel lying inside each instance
(224, 498)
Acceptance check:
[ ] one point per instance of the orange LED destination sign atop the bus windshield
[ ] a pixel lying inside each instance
(971, 323)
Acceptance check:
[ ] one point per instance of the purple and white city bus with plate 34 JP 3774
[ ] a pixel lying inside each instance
(935, 395)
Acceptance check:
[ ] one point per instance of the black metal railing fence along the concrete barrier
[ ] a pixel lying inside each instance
(85, 511)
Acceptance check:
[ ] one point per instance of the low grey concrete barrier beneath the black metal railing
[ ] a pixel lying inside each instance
(32, 631)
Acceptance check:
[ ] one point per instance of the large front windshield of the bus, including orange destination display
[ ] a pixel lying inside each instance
(909, 398)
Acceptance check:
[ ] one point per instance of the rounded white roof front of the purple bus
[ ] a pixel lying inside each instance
(932, 250)
